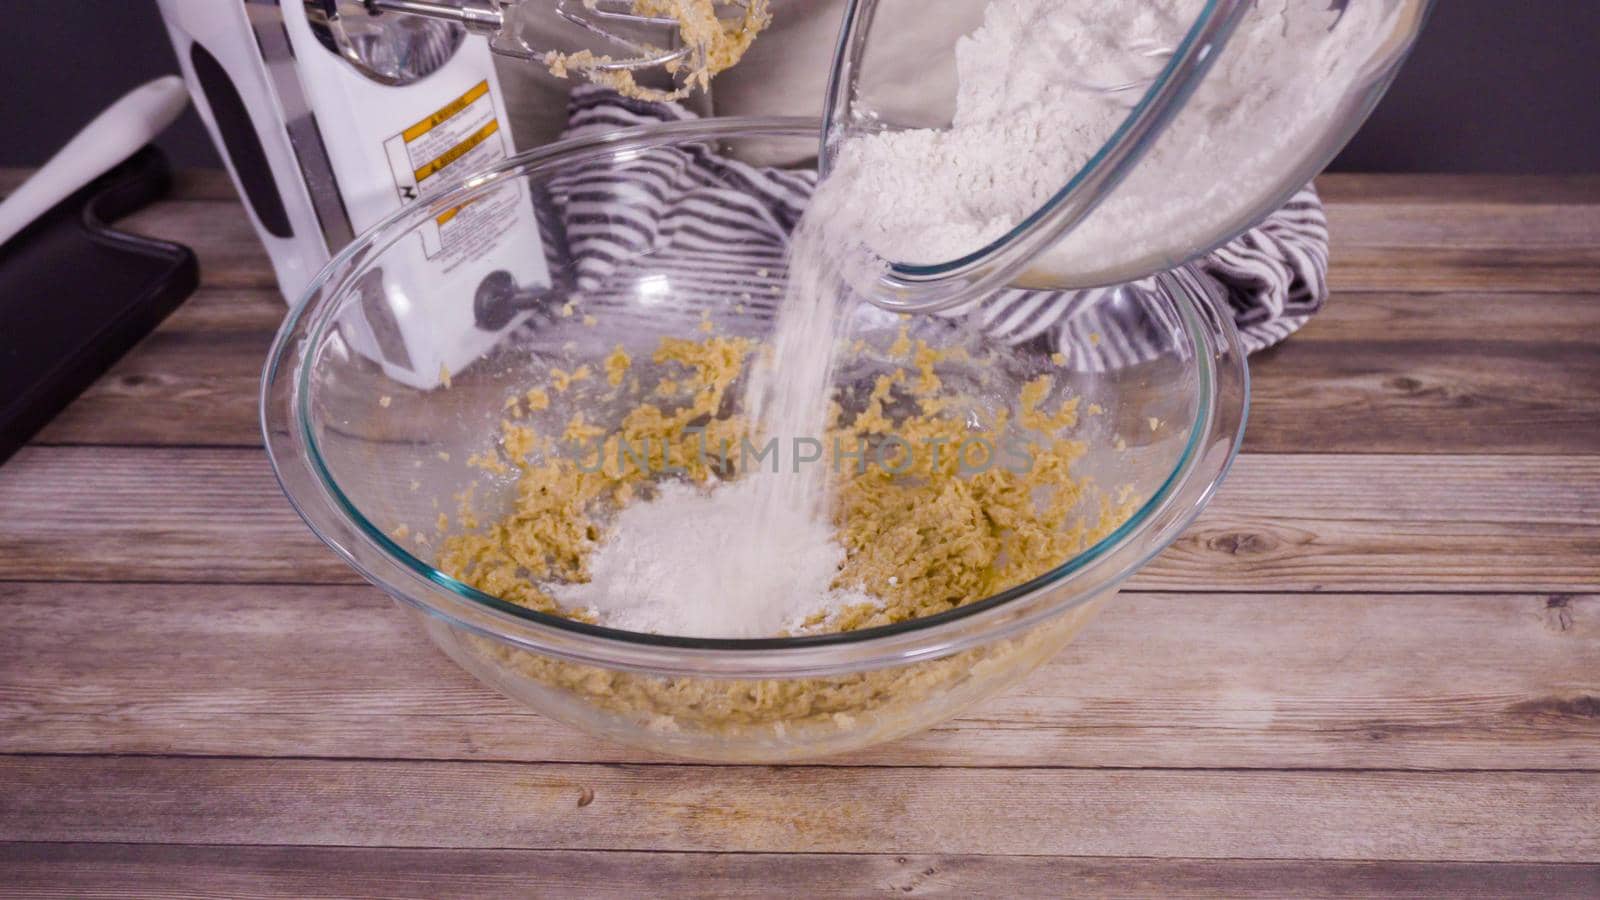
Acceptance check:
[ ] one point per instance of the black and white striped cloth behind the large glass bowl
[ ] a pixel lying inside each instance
(718, 228)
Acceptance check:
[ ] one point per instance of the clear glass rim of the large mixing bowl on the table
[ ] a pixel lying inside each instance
(1214, 443)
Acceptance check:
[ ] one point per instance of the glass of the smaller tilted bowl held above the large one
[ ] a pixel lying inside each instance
(1111, 220)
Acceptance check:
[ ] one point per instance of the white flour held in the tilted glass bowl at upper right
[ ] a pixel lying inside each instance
(1028, 118)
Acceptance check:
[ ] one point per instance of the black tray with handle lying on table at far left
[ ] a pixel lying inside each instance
(76, 295)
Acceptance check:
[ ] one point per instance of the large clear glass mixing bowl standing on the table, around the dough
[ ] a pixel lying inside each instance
(370, 460)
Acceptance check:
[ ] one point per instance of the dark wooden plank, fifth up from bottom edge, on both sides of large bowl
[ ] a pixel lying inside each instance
(1374, 374)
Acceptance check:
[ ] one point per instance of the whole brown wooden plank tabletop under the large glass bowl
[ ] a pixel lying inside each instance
(1372, 667)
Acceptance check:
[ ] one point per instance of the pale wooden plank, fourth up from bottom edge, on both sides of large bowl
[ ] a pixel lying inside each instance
(1292, 523)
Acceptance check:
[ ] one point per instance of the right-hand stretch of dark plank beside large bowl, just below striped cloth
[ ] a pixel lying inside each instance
(1377, 374)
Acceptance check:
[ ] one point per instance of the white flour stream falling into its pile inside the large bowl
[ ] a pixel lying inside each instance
(758, 556)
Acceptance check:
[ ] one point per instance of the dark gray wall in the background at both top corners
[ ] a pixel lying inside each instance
(1495, 86)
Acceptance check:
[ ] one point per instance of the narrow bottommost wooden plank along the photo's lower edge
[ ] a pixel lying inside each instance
(161, 872)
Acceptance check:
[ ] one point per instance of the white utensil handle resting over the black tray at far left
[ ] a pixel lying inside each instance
(113, 137)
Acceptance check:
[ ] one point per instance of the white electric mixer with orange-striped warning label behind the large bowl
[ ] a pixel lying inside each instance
(327, 131)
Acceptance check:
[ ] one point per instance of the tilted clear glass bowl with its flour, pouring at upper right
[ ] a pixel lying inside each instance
(1193, 123)
